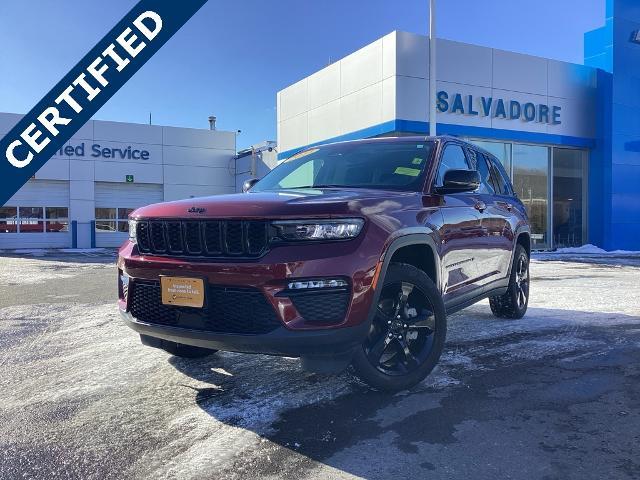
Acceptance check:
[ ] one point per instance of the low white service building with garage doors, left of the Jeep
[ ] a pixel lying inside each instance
(82, 196)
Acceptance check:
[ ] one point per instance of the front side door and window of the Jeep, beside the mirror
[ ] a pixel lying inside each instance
(461, 232)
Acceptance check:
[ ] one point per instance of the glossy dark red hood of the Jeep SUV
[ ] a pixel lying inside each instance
(293, 203)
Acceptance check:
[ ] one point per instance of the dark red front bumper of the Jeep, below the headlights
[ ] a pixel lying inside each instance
(269, 277)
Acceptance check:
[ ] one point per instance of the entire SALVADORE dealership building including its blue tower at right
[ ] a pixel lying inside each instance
(568, 134)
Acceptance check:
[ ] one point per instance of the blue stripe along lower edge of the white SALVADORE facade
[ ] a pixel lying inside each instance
(411, 126)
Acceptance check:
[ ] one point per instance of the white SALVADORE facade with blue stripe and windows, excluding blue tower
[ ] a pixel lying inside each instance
(537, 115)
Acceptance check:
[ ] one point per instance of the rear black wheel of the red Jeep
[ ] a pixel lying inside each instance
(513, 304)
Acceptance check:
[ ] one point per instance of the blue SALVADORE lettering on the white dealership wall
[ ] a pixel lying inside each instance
(458, 103)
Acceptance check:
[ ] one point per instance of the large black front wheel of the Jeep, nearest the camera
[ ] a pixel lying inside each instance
(407, 333)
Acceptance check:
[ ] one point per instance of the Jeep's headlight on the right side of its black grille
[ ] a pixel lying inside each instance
(296, 230)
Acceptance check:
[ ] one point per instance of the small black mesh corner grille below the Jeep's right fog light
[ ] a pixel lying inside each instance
(322, 307)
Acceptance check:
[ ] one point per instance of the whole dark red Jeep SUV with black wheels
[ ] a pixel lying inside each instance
(351, 253)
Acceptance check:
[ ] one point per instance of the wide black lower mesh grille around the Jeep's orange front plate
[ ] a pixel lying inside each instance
(227, 310)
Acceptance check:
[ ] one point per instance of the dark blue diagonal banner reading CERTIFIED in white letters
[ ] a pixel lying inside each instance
(86, 88)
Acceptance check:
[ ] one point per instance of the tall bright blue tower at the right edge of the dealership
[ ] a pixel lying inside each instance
(614, 169)
